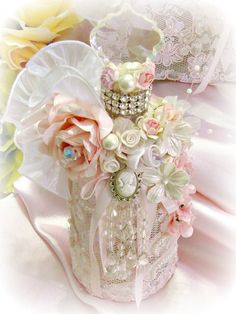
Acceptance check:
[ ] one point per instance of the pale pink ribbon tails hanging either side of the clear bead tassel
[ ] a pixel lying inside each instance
(99, 187)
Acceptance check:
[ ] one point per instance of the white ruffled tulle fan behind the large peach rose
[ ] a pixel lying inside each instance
(71, 68)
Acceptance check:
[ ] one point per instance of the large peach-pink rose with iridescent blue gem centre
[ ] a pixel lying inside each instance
(73, 136)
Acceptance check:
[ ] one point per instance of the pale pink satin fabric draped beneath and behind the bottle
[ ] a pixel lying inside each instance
(35, 262)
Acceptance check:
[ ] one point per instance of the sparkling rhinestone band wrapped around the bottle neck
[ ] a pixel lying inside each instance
(126, 105)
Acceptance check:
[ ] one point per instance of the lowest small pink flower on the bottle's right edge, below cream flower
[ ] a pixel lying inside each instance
(179, 223)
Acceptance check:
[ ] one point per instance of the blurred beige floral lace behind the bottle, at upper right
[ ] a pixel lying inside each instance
(200, 45)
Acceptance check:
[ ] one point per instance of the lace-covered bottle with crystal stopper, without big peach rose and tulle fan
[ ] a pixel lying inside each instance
(126, 220)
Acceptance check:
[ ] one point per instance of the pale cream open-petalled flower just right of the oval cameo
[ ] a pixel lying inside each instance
(165, 181)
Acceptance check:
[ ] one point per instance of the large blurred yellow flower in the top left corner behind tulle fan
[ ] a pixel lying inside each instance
(41, 22)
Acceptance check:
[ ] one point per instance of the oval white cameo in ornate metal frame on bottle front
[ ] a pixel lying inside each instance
(125, 184)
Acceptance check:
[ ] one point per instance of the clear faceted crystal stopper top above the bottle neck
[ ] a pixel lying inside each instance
(137, 37)
